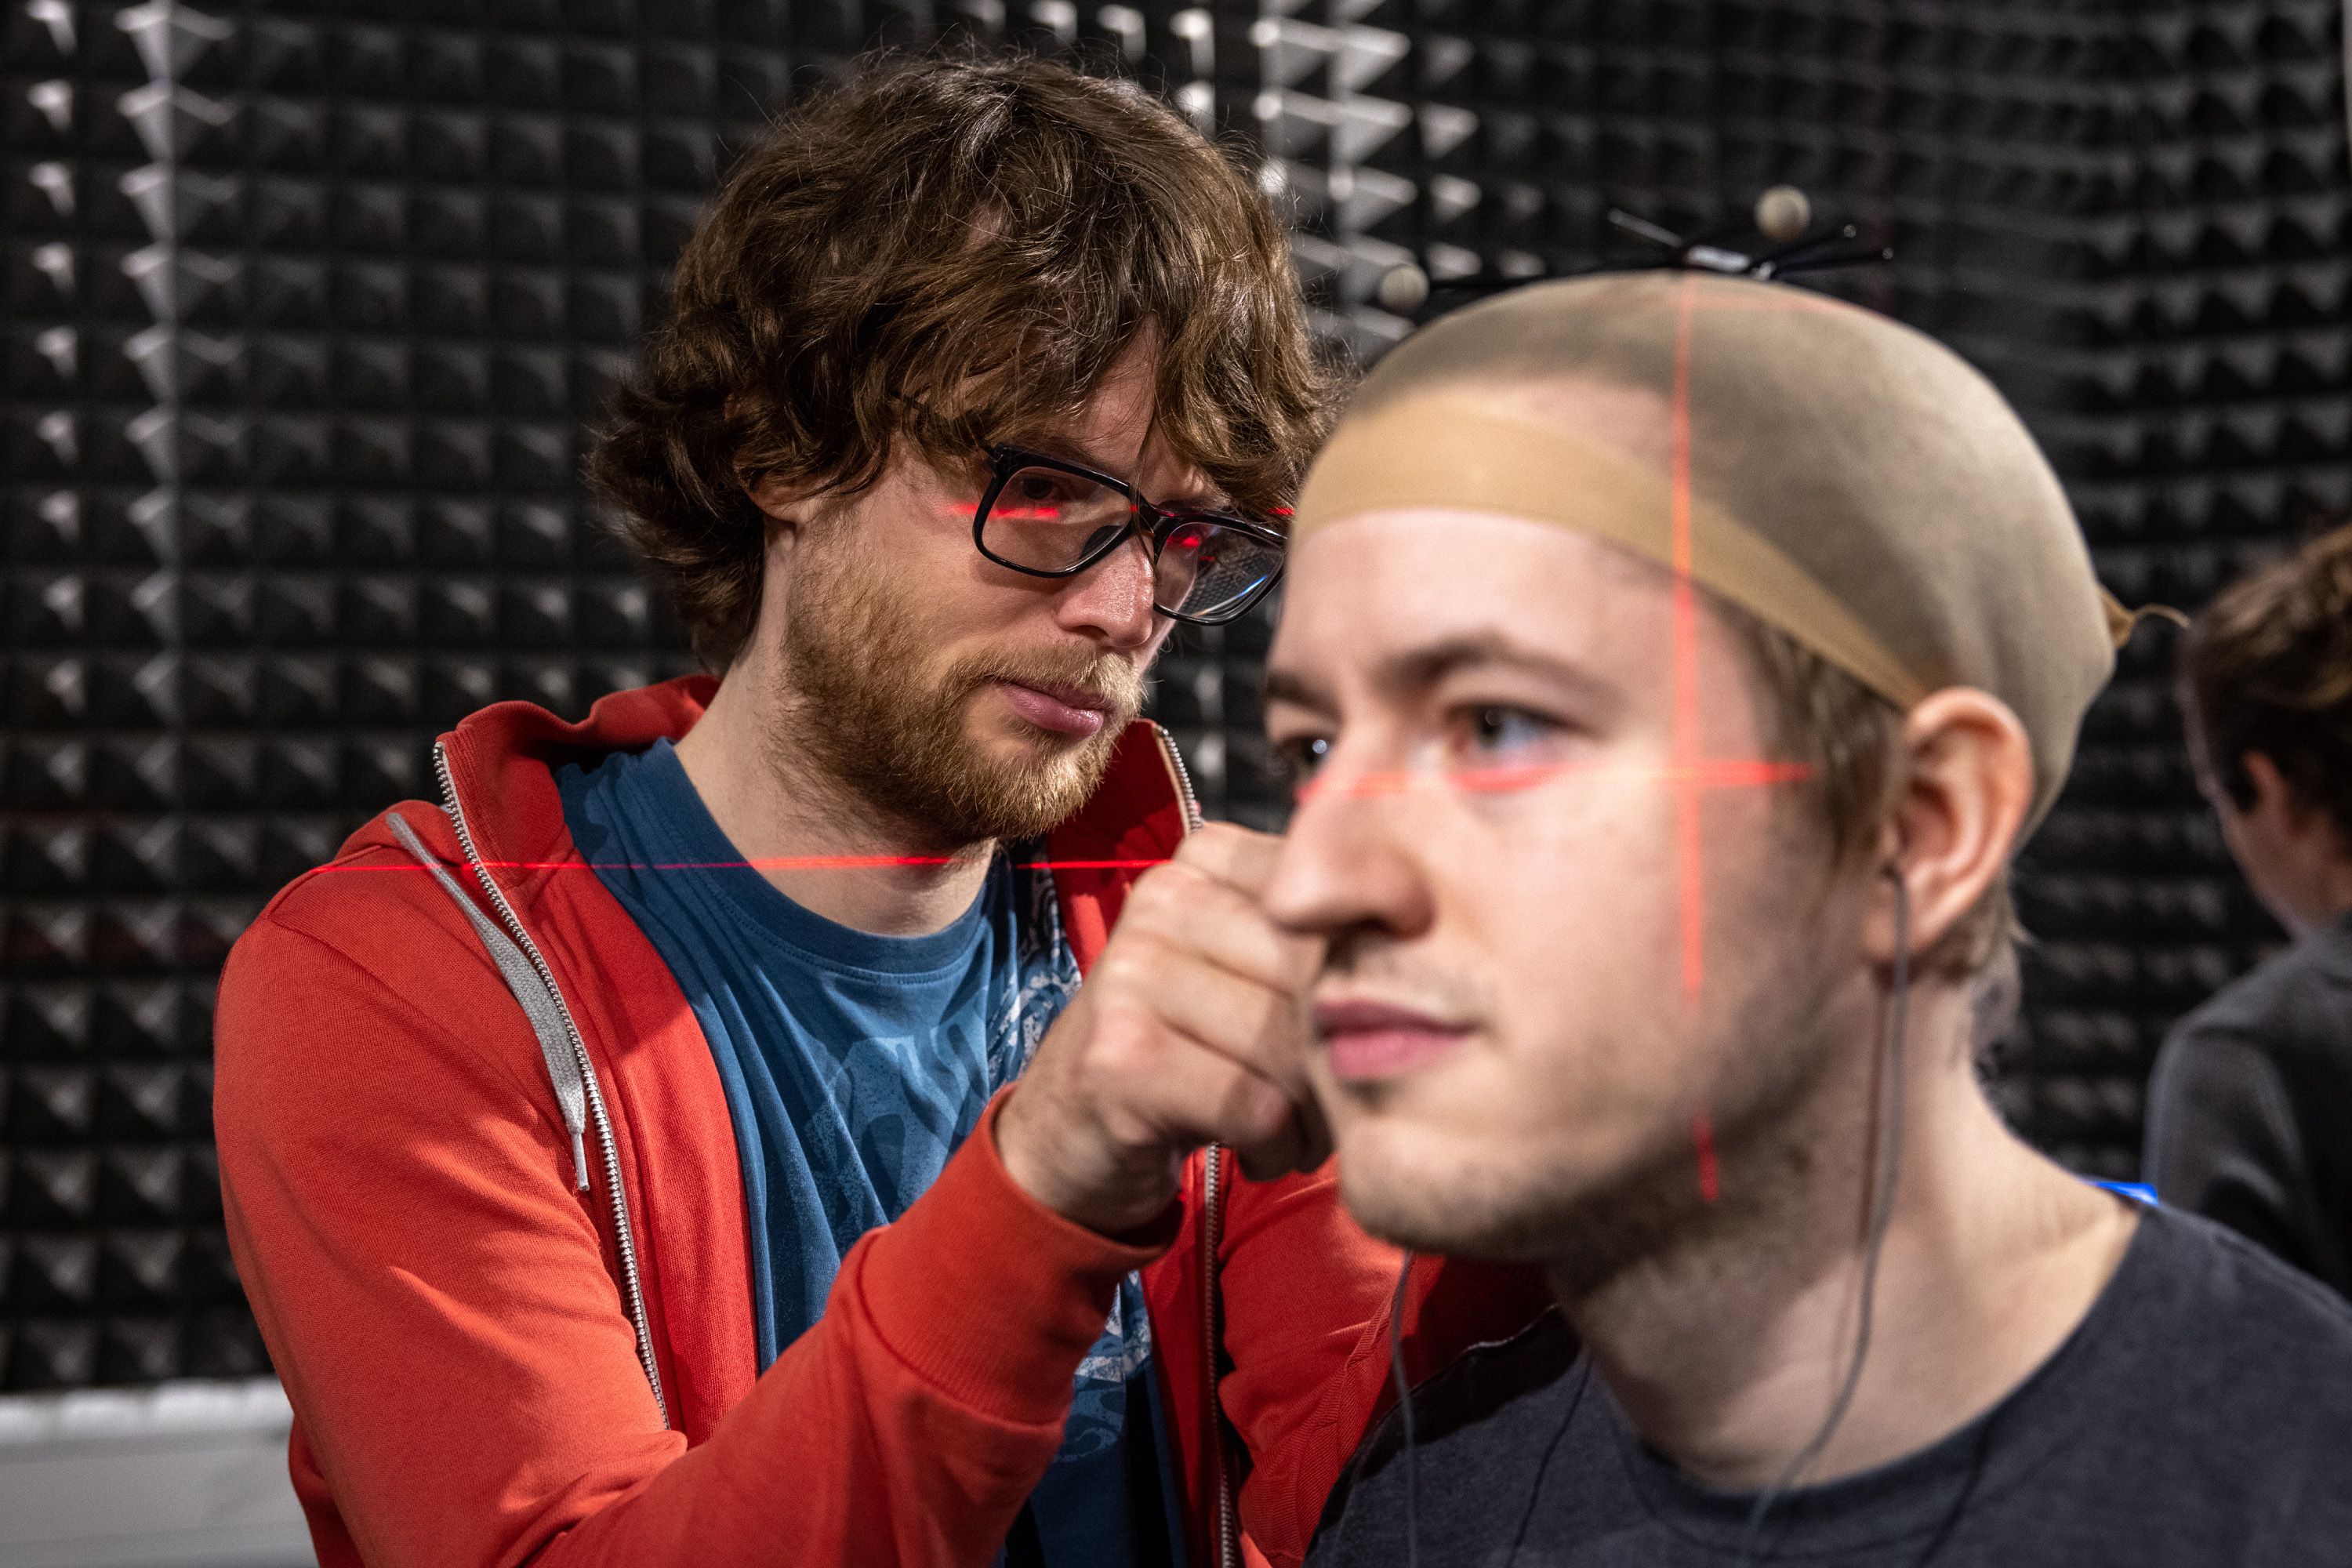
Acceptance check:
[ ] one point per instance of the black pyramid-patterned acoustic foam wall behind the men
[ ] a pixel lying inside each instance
(305, 311)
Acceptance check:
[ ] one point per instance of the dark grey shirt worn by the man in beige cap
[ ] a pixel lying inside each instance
(2200, 1416)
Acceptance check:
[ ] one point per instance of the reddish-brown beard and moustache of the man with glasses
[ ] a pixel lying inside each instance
(902, 746)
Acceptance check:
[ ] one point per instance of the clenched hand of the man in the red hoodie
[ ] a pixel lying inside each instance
(1194, 1028)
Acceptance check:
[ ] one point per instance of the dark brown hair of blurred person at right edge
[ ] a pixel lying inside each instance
(2269, 669)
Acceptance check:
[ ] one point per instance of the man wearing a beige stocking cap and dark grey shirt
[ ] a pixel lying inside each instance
(1673, 666)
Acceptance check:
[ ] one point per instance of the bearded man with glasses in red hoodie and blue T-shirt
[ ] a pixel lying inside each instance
(629, 1174)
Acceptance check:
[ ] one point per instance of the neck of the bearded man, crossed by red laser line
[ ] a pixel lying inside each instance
(815, 840)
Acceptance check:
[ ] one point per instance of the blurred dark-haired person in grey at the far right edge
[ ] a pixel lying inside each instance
(2250, 1113)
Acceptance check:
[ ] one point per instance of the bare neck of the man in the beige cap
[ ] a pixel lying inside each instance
(1728, 1353)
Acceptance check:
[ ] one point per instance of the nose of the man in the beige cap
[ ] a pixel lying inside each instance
(1351, 862)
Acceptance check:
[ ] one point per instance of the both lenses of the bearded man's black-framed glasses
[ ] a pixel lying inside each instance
(1053, 521)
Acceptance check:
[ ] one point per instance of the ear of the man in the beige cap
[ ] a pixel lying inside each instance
(1965, 791)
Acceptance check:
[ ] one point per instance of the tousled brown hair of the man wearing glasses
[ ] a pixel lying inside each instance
(951, 253)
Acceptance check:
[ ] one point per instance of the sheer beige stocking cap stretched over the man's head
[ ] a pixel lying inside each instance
(1847, 478)
